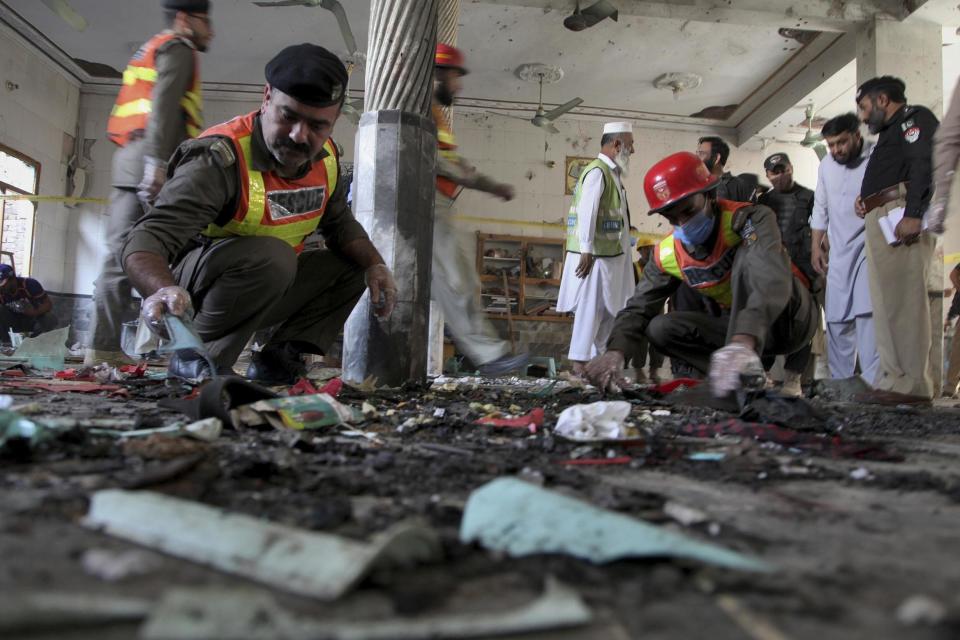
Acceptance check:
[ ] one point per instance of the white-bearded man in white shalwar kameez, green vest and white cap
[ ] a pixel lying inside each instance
(597, 272)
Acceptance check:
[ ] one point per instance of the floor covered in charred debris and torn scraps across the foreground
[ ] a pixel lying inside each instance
(132, 505)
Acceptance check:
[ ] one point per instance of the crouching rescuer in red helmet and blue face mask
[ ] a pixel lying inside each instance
(728, 251)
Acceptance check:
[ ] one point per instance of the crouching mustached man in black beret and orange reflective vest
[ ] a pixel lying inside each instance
(232, 217)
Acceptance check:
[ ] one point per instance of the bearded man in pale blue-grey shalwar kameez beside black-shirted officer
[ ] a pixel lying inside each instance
(842, 257)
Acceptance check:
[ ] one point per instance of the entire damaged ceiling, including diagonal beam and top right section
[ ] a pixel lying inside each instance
(741, 50)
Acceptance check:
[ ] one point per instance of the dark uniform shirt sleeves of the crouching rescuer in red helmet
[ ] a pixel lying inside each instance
(753, 312)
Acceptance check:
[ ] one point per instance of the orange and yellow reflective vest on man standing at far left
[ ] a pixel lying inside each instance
(131, 111)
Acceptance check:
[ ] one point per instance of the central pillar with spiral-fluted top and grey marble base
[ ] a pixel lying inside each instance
(393, 199)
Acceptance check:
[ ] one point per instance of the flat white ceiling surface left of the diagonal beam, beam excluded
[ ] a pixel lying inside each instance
(611, 65)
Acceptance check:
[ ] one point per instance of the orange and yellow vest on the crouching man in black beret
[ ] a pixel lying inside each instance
(270, 205)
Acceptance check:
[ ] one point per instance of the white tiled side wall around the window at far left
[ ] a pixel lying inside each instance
(35, 117)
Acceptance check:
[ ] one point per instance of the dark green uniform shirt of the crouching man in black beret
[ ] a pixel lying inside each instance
(203, 185)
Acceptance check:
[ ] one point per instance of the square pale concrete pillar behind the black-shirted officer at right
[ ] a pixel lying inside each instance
(913, 52)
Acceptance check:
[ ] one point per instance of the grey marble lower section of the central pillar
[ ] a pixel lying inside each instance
(393, 196)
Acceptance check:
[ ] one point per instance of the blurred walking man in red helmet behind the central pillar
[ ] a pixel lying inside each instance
(455, 284)
